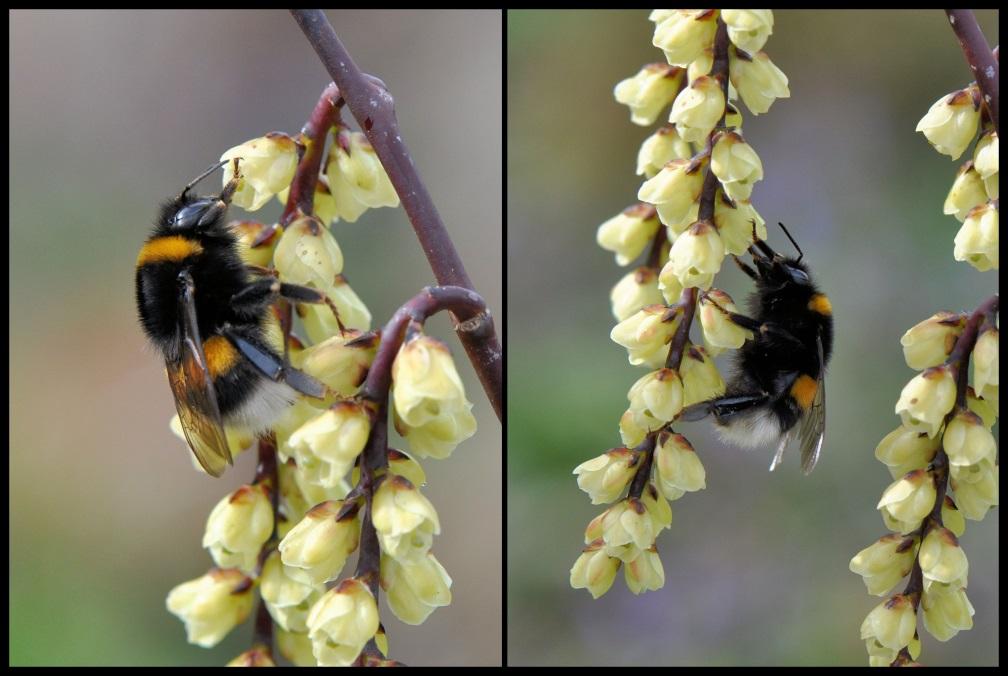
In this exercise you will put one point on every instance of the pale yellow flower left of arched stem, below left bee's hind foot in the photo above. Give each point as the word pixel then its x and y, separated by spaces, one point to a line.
pixel 335 439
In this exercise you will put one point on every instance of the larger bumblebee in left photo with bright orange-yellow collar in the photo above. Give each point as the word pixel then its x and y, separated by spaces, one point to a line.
pixel 209 315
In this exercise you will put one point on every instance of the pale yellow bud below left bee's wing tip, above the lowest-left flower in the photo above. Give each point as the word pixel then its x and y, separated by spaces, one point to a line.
pixel 238 527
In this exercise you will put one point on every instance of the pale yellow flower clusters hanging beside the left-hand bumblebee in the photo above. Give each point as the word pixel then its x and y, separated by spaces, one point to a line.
pixel 331 487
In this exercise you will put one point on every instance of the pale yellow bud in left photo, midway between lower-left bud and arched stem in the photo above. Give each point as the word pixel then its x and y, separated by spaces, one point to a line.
pixel 316 551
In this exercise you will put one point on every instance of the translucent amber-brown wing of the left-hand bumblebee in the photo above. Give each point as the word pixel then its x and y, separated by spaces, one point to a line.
pixel 196 398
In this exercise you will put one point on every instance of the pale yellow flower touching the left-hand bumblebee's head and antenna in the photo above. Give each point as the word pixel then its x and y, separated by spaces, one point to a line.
pixel 268 167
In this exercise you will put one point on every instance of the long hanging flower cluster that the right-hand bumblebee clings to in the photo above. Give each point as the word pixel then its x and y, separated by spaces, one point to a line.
pixel 695 210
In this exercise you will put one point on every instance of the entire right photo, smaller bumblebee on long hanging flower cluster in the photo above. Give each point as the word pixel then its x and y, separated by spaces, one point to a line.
pixel 752 269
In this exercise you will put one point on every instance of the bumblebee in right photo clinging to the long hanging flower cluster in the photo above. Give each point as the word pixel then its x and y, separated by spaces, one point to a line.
pixel 777 390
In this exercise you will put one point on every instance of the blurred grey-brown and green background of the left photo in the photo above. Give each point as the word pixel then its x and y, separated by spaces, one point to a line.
pixel 113 112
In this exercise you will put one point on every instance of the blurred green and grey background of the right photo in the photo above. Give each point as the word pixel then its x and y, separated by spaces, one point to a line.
pixel 757 566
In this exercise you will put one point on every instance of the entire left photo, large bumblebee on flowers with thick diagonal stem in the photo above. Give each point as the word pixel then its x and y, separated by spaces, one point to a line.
pixel 257 339
